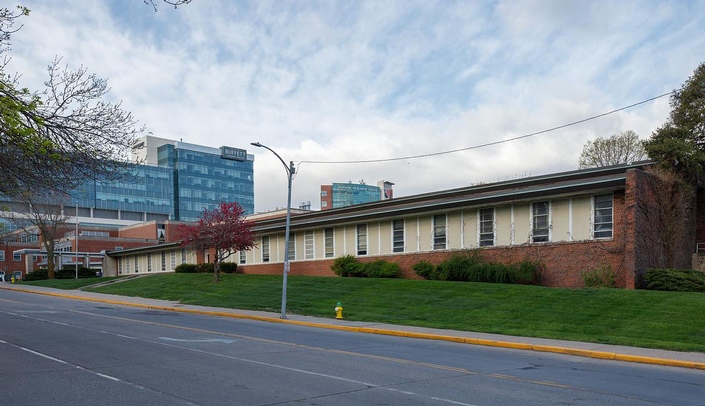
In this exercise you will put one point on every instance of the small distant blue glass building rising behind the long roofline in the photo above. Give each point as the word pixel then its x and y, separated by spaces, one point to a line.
pixel 339 195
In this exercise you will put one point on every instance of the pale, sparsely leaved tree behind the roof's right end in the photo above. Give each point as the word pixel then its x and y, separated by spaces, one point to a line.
pixel 616 149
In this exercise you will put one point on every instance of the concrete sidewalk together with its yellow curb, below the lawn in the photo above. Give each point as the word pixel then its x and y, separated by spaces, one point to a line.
pixel 694 360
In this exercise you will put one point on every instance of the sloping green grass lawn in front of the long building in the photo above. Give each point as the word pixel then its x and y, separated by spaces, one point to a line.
pixel 668 320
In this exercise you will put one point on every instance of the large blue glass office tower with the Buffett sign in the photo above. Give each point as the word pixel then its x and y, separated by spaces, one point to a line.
pixel 170 180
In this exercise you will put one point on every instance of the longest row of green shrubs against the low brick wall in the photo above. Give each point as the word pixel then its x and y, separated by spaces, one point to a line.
pixel 469 266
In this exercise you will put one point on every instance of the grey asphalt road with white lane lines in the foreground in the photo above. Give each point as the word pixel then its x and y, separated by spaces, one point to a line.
pixel 57 351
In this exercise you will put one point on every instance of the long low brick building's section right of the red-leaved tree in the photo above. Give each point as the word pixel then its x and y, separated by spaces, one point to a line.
pixel 570 222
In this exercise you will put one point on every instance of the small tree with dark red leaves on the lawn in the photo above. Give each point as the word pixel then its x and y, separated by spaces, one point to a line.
pixel 224 228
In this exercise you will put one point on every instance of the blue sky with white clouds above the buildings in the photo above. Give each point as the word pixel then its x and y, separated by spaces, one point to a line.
pixel 346 81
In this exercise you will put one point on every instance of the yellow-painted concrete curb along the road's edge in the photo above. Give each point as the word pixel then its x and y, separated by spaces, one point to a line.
pixel 401 333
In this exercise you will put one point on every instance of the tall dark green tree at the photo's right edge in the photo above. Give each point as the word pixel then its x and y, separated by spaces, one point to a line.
pixel 680 143
